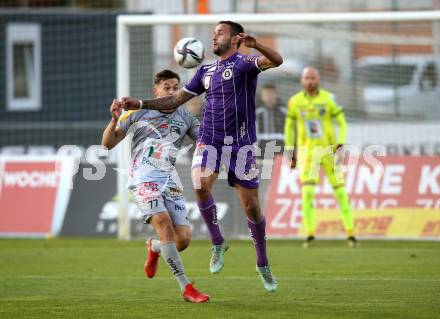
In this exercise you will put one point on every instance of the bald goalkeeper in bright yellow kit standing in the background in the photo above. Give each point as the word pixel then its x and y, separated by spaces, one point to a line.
pixel 310 134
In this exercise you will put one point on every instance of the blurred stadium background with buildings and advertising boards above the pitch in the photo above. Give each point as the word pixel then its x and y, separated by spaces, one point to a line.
pixel 58 59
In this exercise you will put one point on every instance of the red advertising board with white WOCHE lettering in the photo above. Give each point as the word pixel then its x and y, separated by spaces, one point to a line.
pixel 30 196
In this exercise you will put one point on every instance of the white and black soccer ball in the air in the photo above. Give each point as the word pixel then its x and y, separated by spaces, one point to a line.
pixel 188 52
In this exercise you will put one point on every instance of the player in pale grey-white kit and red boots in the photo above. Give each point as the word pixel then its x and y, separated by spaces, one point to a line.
pixel 156 137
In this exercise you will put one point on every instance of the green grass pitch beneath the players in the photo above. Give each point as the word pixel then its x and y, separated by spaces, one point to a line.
pixel 103 278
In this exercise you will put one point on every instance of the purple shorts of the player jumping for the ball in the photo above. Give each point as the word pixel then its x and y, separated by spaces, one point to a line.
pixel 238 162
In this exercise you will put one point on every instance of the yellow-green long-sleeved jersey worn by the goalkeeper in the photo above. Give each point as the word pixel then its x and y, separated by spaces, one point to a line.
pixel 311 121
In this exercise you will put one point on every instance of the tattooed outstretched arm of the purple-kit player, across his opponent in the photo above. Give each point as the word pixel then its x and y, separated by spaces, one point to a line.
pixel 162 103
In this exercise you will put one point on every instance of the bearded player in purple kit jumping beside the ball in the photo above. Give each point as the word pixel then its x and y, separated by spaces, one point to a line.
pixel 227 134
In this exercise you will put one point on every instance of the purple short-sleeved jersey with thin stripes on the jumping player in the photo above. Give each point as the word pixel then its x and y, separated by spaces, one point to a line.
pixel 229 88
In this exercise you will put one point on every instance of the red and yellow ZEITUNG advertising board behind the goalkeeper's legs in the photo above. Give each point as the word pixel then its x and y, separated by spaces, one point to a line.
pixel 378 193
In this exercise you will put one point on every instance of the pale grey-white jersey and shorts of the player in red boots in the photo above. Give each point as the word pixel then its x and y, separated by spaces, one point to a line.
pixel 156 140
